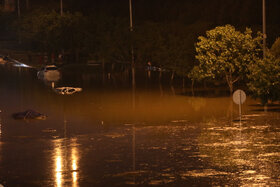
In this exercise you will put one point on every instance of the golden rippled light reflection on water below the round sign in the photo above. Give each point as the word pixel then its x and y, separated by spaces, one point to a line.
pixel 248 150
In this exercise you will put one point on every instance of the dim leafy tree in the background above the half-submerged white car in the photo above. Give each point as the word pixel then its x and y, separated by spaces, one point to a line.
pixel 52 32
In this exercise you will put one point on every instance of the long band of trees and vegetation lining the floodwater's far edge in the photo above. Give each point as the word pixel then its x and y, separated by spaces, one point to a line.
pixel 186 44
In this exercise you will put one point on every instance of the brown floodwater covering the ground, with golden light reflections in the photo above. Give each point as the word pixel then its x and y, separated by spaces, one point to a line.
pixel 102 137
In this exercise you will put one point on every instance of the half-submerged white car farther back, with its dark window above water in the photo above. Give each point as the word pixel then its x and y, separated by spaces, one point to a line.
pixel 49 73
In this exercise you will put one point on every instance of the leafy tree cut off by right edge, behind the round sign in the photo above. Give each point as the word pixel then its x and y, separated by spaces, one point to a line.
pixel 264 78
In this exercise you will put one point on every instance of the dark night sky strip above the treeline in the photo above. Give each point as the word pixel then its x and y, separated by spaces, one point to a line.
pixel 187 11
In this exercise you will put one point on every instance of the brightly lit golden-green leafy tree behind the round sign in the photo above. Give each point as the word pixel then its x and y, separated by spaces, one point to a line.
pixel 225 53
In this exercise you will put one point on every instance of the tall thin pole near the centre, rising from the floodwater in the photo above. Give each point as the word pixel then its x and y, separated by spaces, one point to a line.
pixel 132 57
